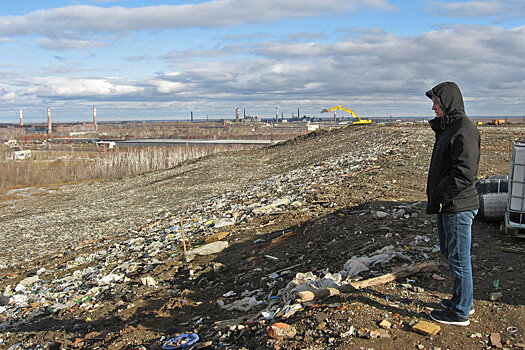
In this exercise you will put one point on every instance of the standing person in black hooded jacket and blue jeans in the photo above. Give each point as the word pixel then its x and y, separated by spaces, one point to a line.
pixel 452 195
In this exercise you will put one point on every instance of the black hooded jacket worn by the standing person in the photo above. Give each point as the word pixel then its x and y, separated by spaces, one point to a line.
pixel 455 156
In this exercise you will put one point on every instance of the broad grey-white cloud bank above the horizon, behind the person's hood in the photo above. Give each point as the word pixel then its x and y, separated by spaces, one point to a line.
pixel 373 72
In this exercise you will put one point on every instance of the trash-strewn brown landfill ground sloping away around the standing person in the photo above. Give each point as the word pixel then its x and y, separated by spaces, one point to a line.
pixel 101 265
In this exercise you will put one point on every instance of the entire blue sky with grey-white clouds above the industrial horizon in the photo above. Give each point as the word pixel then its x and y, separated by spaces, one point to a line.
pixel 143 60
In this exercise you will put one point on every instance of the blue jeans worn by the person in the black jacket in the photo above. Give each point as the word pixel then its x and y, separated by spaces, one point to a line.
pixel 455 238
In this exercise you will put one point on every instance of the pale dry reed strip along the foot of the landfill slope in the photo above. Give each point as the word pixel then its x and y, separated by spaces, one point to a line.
pixel 54 168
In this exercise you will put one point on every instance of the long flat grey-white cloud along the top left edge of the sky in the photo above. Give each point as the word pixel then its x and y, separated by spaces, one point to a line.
pixel 72 20
